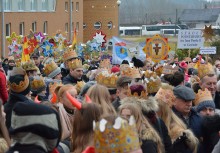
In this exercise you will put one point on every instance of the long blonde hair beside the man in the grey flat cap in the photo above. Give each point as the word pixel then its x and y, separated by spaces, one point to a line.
pixel 175 125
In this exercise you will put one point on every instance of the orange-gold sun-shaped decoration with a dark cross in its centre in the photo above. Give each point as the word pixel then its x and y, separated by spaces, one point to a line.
pixel 156 48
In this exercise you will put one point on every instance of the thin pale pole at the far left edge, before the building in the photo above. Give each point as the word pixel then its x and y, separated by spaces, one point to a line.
pixel 3 29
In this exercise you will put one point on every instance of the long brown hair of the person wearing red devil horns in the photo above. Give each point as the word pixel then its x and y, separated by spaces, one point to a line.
pixel 83 135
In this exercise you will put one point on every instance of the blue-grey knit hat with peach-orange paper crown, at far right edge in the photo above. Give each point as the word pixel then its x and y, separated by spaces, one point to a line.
pixel 203 100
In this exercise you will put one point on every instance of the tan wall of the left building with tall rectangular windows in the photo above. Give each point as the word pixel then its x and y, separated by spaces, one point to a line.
pixel 56 21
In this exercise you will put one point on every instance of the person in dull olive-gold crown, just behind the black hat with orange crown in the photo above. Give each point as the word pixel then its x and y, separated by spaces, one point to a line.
pixel 30 68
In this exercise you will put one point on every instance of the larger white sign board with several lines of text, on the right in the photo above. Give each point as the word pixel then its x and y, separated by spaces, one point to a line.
pixel 190 39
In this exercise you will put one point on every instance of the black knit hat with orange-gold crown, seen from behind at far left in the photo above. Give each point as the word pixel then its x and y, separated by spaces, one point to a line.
pixel 19 81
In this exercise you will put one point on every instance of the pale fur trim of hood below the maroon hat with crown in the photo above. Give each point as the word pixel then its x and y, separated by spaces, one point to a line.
pixel 146 105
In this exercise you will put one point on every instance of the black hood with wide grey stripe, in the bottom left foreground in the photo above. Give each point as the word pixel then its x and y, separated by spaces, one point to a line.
pixel 35 124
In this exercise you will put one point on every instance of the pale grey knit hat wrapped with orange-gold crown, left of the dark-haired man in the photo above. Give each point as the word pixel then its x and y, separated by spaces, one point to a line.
pixel 50 68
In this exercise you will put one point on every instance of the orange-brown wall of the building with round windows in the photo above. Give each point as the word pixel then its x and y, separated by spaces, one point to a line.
pixel 102 11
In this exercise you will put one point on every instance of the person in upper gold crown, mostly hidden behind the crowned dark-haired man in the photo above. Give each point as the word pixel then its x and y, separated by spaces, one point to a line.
pixel 68 56
